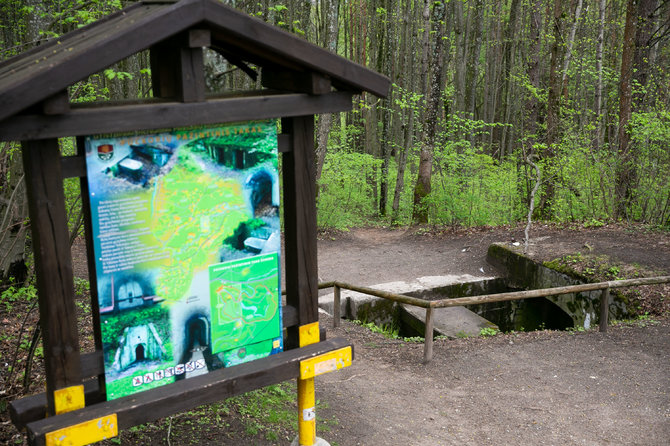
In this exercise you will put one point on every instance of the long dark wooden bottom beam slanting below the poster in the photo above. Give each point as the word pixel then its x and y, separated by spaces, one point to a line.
pixel 186 394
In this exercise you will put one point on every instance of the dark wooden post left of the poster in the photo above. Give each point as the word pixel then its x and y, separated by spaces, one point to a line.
pixel 53 266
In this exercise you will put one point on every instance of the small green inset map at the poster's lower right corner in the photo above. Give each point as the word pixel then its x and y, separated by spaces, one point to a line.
pixel 245 301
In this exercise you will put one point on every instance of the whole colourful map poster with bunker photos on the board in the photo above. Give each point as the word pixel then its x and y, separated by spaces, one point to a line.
pixel 186 238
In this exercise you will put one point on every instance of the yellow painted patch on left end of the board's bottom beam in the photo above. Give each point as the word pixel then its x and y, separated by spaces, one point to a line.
pixel 84 433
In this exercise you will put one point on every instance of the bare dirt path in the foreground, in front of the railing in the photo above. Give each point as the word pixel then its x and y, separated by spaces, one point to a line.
pixel 526 389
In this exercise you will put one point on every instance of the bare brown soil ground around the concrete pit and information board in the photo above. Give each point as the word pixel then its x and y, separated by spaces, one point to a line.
pixel 518 388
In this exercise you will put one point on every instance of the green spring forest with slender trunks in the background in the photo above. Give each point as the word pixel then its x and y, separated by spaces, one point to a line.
pixel 499 110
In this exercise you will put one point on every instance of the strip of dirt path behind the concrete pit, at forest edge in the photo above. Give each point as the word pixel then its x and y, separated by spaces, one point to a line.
pixel 369 256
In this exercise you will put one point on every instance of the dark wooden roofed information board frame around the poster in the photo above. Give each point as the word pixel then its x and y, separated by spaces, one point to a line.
pixel 299 80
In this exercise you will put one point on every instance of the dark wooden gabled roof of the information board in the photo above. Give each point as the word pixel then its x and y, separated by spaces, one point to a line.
pixel 44 71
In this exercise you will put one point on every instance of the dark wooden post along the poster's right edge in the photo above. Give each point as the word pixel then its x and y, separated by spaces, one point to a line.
pixel 299 182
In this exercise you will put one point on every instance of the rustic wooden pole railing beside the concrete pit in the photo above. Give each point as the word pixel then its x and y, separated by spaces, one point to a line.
pixel 486 298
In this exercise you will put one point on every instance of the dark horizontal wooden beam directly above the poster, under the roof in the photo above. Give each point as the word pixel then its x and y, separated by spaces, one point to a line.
pixel 147 116
